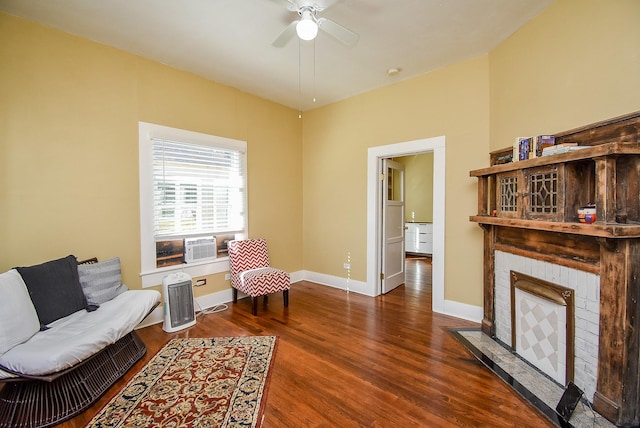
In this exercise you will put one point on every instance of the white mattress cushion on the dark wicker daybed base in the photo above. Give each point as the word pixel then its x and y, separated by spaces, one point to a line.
pixel 72 339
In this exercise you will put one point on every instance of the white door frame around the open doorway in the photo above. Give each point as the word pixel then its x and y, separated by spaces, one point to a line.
pixel 374 220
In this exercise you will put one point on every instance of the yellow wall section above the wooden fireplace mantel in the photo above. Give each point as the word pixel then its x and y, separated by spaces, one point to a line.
pixel 577 63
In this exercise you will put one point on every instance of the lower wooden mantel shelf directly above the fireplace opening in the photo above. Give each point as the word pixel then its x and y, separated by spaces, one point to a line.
pixel 597 229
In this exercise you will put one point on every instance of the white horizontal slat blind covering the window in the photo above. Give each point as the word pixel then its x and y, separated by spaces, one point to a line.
pixel 197 189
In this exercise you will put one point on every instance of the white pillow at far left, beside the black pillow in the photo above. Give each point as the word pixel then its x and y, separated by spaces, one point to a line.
pixel 18 317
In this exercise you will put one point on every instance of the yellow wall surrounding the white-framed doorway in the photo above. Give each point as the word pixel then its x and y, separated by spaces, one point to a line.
pixel 452 102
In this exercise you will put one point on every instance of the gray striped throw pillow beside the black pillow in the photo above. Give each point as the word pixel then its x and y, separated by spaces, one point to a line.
pixel 101 281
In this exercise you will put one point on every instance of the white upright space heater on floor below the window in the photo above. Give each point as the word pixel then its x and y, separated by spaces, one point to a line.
pixel 179 310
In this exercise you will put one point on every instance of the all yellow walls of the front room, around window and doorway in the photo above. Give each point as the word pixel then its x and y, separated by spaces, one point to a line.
pixel 69 110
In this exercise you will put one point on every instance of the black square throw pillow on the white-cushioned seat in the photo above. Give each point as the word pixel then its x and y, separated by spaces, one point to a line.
pixel 54 288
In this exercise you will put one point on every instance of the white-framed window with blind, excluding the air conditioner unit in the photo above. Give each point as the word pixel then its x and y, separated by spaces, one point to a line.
pixel 192 185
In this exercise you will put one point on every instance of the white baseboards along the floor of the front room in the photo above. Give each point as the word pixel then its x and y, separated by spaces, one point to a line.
pixel 451 308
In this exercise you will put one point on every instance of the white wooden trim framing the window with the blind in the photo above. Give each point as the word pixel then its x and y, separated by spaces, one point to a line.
pixel 150 274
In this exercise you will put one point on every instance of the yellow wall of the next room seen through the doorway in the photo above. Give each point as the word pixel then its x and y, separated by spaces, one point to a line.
pixel 418 187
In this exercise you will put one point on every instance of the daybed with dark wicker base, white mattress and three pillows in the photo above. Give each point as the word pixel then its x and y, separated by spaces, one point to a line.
pixel 66 335
